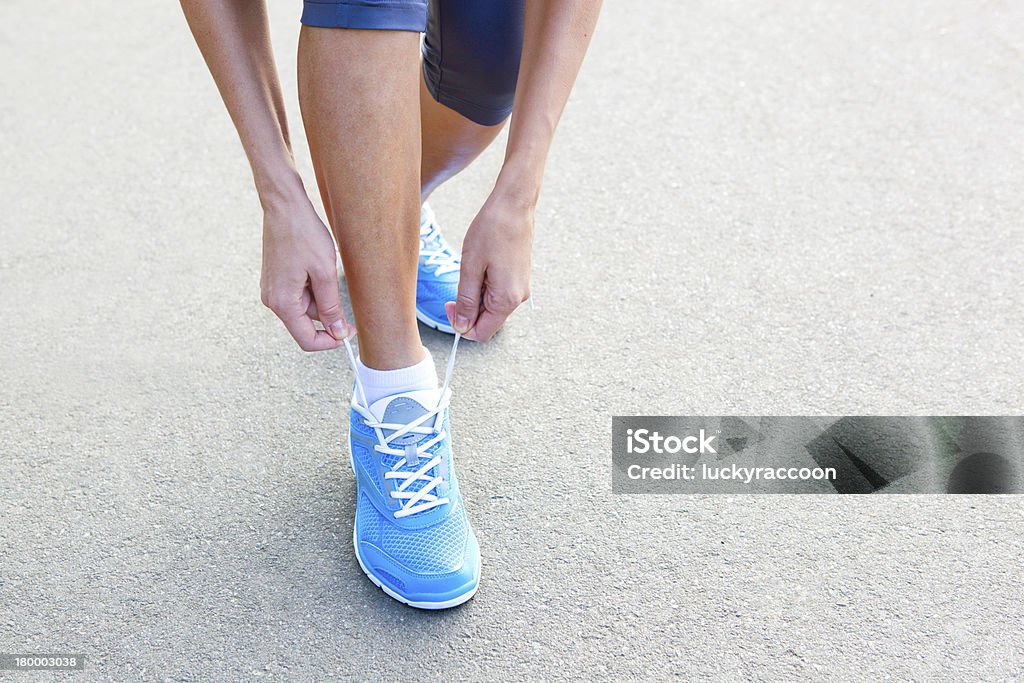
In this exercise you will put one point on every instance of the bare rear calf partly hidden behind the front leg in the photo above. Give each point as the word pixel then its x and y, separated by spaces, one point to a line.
pixel 451 142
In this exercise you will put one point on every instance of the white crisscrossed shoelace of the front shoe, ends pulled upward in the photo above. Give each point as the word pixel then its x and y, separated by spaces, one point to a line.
pixel 412 454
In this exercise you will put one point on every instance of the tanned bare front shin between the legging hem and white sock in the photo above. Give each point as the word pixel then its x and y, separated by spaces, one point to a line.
pixel 359 94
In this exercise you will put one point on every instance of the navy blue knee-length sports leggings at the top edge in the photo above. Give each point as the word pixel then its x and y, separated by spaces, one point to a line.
pixel 472 49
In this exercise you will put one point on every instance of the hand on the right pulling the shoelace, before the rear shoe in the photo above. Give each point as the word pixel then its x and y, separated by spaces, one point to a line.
pixel 496 264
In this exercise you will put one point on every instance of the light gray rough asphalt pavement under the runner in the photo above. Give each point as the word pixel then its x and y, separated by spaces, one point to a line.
pixel 752 208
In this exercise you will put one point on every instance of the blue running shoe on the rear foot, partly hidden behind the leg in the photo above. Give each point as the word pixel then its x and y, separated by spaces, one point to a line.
pixel 438 279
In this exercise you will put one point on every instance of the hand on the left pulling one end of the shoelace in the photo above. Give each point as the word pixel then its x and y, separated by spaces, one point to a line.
pixel 300 281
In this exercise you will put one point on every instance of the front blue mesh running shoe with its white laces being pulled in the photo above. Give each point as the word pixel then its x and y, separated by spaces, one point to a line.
pixel 412 537
